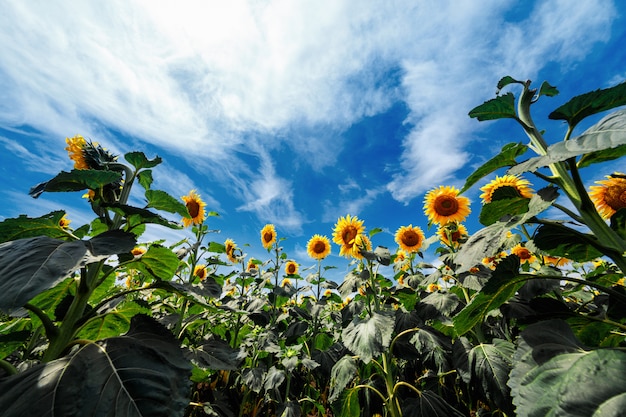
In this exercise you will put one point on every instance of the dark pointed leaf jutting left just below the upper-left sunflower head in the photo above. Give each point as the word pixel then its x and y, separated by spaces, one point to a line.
pixel 76 180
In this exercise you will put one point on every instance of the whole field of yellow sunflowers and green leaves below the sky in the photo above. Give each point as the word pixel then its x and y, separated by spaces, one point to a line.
pixel 524 317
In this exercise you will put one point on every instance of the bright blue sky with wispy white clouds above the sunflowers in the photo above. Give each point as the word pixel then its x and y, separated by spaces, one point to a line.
pixel 285 112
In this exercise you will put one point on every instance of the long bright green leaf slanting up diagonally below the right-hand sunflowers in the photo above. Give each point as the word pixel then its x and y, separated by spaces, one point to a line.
pixel 503 284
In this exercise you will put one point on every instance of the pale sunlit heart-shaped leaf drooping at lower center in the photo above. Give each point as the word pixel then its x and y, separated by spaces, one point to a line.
pixel 370 336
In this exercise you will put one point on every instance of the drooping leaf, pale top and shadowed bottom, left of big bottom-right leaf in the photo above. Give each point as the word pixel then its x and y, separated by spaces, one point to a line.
pixel 490 364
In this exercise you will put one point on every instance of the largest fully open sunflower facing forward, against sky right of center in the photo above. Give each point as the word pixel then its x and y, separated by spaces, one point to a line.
pixel 443 205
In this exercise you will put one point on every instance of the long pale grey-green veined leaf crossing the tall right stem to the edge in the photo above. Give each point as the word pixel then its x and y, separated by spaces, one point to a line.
pixel 603 141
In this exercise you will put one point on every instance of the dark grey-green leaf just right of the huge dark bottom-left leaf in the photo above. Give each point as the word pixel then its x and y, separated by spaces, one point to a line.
pixel 215 354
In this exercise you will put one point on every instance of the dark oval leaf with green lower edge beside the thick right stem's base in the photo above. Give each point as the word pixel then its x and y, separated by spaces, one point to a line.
pixel 559 240
